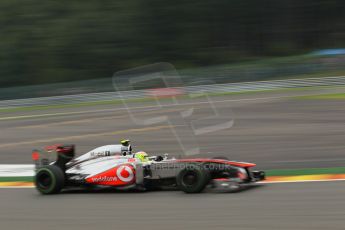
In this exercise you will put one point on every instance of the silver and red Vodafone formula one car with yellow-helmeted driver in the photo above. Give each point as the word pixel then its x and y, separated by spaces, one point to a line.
pixel 117 167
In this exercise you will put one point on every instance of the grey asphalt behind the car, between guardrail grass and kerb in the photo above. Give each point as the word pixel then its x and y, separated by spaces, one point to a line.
pixel 270 129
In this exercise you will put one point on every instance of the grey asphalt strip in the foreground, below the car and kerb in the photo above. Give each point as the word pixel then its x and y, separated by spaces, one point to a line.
pixel 313 205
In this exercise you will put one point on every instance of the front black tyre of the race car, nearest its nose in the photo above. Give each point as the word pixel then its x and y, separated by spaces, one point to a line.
pixel 193 178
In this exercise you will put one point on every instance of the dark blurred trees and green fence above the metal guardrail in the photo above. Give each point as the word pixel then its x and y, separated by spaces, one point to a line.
pixel 48 43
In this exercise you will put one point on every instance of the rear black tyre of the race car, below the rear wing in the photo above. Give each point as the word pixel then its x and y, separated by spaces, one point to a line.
pixel 49 179
